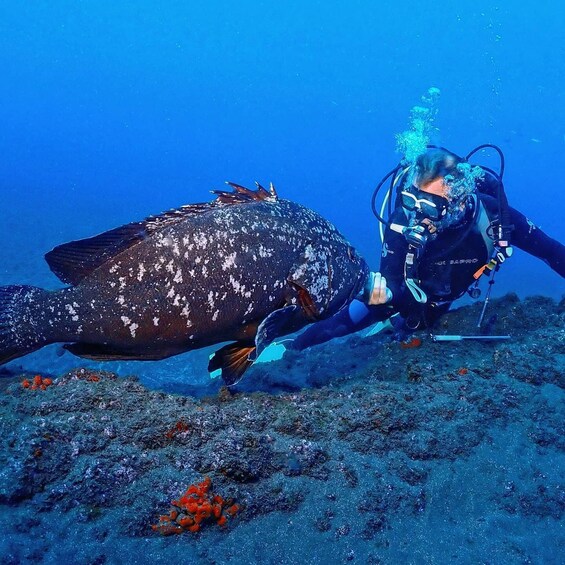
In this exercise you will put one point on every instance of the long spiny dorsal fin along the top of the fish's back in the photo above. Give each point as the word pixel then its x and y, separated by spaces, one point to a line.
pixel 73 261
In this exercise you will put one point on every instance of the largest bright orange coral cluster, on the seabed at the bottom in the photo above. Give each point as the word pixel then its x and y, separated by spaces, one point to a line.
pixel 197 506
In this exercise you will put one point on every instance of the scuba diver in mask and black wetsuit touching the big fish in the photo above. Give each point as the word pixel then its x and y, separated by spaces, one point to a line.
pixel 450 225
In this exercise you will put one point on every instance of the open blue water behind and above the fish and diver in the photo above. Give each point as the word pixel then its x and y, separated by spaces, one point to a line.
pixel 113 111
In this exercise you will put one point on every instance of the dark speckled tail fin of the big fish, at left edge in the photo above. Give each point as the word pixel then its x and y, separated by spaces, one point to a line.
pixel 18 333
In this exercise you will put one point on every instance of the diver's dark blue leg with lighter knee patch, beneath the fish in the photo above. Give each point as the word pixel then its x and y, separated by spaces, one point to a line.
pixel 355 317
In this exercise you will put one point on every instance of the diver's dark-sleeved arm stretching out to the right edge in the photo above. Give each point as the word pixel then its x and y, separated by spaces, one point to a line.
pixel 533 240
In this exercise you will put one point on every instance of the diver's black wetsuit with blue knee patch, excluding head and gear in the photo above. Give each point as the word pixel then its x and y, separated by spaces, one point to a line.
pixel 445 271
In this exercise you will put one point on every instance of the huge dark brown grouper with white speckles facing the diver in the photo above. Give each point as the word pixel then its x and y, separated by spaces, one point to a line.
pixel 245 268
